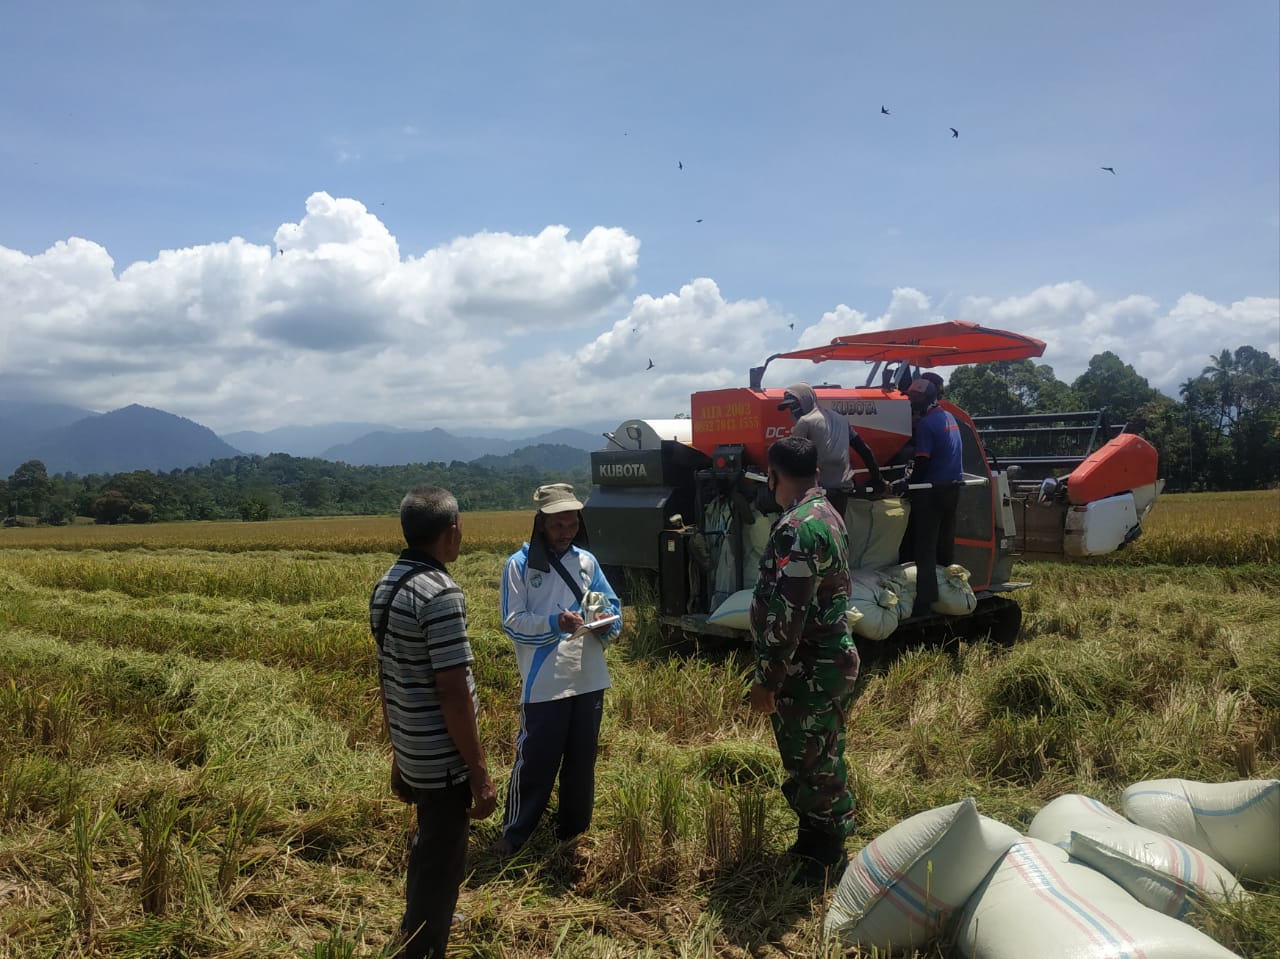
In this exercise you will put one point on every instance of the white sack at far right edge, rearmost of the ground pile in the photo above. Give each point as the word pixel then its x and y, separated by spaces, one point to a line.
pixel 1238 824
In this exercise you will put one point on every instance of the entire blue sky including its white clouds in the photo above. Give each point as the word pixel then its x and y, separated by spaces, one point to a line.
pixel 465 131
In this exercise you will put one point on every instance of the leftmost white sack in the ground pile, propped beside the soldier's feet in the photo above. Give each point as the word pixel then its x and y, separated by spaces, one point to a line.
pixel 902 889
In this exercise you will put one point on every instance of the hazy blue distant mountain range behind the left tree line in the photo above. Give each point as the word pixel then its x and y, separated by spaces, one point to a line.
pixel 70 440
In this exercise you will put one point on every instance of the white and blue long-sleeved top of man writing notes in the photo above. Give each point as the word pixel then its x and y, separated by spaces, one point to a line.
pixel 552 665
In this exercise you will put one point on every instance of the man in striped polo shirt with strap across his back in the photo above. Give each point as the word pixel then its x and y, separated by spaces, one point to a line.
pixel 419 618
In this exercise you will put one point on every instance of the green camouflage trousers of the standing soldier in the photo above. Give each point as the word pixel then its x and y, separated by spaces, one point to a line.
pixel 811 730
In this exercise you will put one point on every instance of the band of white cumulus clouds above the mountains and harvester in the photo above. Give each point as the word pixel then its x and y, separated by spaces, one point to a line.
pixel 335 322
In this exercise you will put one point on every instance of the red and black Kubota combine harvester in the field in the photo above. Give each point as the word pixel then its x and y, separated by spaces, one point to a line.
pixel 678 504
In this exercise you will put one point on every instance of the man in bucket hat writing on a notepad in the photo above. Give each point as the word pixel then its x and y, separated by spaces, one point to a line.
pixel 552 590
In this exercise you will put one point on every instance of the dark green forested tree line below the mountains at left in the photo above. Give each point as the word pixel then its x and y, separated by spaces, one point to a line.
pixel 259 488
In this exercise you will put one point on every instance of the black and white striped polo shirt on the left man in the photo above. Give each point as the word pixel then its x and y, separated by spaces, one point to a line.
pixel 427 631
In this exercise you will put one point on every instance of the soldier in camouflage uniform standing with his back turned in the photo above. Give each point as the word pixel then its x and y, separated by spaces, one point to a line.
pixel 807 664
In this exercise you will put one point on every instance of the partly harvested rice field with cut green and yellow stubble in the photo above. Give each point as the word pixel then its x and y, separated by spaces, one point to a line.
pixel 193 761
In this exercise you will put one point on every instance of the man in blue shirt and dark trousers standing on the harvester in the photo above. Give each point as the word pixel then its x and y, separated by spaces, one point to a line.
pixel 939 462
